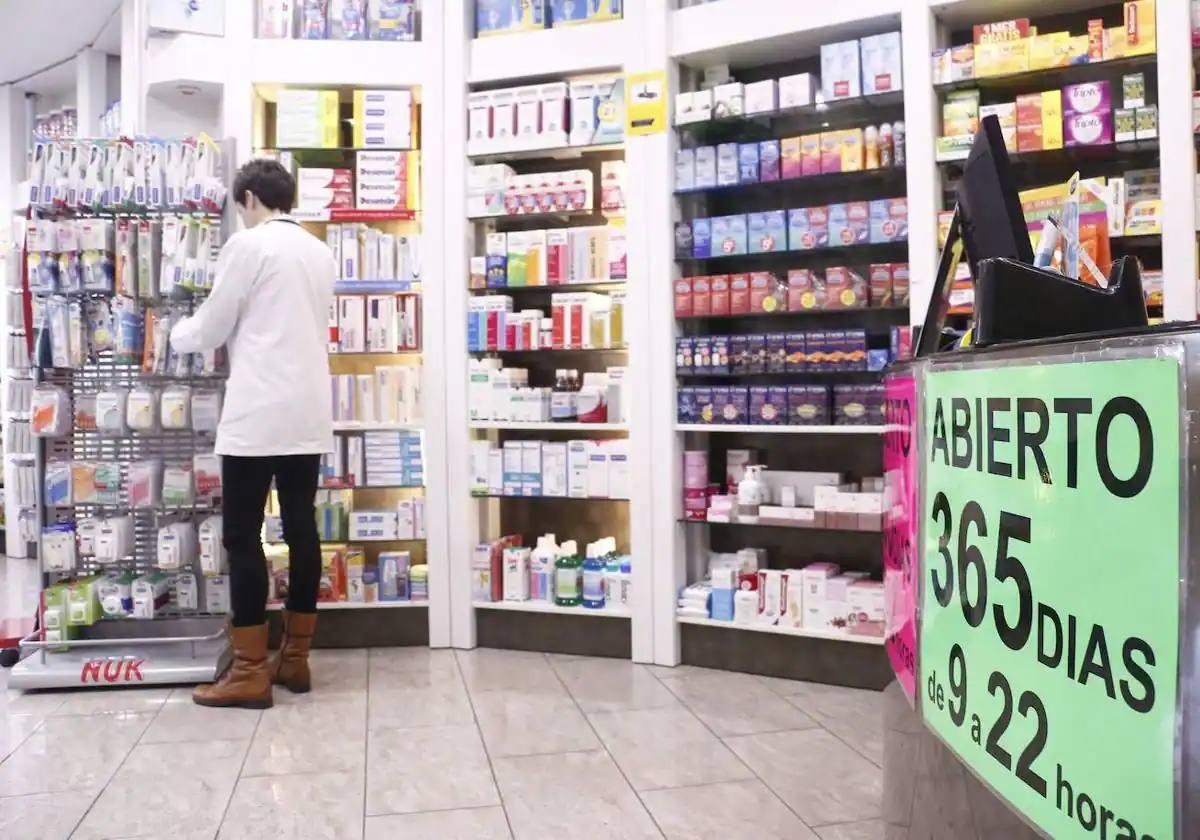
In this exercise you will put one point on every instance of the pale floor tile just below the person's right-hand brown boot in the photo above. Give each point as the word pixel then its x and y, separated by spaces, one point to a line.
pixel 319 737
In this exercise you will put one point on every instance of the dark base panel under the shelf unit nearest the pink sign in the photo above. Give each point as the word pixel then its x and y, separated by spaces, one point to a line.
pixel 817 661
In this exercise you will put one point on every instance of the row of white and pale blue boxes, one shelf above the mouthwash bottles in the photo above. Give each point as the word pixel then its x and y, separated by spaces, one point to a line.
pixel 578 470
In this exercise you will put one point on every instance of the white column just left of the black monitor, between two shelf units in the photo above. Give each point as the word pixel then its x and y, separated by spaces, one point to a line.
pixel 925 181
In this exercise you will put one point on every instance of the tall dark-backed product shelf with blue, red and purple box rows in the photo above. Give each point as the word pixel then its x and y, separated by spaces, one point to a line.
pixel 791 296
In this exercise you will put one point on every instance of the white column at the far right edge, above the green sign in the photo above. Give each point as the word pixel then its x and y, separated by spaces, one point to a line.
pixel 1178 160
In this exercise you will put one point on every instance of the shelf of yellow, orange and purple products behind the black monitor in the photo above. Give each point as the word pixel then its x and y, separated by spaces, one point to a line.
pixel 1073 93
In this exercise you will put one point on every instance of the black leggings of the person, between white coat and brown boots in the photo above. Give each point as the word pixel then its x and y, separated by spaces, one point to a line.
pixel 247 484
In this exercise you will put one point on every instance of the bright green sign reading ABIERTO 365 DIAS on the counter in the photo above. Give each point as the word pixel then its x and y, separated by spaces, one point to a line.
pixel 1049 637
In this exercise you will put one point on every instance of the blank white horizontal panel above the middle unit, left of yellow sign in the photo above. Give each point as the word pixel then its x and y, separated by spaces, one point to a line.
pixel 549 52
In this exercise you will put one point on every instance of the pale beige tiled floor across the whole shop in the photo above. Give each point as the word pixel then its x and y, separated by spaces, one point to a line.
pixel 417 743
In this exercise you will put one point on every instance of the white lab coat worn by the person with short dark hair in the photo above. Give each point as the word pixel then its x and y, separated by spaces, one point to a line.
pixel 271 308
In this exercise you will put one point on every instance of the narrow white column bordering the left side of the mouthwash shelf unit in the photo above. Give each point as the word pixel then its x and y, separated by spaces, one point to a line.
pixel 459 244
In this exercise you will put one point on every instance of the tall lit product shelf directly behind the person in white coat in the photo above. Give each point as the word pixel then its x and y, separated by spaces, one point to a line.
pixel 356 154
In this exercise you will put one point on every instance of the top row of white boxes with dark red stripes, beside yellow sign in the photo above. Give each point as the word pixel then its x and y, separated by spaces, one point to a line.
pixel 551 116
